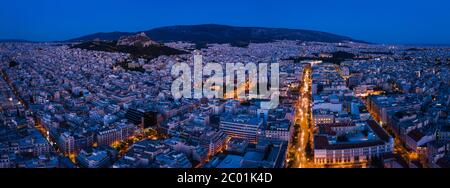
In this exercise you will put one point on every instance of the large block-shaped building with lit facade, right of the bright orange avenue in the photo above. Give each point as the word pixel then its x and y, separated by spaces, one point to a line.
pixel 351 143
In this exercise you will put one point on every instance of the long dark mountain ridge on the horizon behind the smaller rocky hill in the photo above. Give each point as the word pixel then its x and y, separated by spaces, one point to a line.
pixel 213 33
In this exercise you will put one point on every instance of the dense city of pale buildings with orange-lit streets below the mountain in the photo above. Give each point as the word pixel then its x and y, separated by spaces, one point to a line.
pixel 342 105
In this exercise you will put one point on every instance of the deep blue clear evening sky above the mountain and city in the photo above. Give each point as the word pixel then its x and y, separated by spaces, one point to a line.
pixel 379 21
